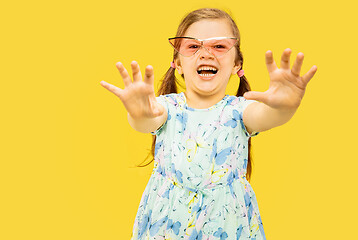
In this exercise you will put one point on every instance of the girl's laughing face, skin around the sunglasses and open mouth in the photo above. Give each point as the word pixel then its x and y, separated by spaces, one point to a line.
pixel 197 83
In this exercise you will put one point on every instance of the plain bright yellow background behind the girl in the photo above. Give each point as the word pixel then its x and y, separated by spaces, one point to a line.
pixel 68 153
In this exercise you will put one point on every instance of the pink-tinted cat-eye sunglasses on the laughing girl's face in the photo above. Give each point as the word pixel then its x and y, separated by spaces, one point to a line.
pixel 188 47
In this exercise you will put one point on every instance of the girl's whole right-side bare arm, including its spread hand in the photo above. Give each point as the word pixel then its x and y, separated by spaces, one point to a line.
pixel 279 103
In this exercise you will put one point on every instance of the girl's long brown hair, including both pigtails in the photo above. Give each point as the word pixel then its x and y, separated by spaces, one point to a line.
pixel 169 82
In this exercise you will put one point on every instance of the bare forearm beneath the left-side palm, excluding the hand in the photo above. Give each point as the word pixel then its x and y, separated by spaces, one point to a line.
pixel 147 125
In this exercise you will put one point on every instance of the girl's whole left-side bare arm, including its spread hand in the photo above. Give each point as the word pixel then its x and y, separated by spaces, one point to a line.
pixel 145 113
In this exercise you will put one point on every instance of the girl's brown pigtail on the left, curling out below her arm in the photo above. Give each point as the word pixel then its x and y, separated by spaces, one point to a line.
pixel 168 85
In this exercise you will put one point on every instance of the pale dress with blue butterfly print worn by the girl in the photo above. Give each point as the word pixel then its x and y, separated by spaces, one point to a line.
pixel 198 189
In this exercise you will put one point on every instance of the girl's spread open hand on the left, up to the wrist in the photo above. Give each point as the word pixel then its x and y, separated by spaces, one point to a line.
pixel 138 96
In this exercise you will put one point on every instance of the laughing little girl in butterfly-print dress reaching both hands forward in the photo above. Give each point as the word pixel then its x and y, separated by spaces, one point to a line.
pixel 199 188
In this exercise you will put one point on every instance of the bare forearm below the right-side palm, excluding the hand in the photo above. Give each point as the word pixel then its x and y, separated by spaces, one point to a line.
pixel 263 117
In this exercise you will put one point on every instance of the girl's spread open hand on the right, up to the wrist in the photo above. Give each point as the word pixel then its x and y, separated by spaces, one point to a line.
pixel 286 87
